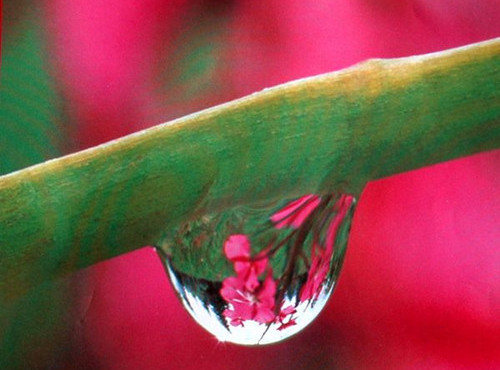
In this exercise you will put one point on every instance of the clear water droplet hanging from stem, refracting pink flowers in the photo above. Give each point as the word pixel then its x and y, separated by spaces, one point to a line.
pixel 259 275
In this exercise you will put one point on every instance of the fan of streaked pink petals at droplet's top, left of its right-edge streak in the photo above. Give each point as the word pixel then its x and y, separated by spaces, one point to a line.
pixel 295 213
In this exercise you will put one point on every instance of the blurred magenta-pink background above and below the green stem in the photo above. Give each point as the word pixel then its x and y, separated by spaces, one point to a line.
pixel 420 287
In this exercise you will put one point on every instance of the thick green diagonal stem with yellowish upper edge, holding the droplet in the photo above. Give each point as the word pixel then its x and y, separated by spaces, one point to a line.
pixel 332 132
